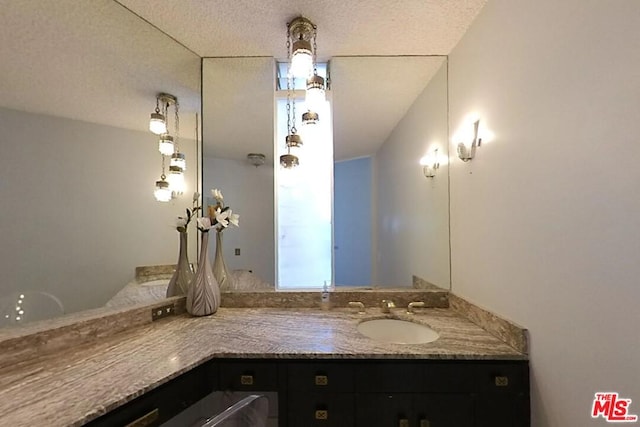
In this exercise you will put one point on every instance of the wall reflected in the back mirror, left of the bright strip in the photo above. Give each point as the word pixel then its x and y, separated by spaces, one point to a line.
pixel 248 191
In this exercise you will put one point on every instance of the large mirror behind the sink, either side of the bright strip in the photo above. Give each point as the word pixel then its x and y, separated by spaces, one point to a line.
pixel 390 221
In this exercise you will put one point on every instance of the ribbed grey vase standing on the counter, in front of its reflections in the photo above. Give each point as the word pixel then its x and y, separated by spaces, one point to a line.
pixel 203 295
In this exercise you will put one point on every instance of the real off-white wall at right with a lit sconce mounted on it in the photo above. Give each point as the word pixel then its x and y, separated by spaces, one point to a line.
pixel 545 221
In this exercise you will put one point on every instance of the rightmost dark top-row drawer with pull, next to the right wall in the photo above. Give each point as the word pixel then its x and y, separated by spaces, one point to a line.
pixel 502 377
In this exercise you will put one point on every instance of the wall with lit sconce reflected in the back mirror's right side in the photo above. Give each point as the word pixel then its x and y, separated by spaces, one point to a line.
pixel 412 212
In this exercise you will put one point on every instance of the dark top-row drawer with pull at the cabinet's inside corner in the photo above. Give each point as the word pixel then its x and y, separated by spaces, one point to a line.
pixel 250 375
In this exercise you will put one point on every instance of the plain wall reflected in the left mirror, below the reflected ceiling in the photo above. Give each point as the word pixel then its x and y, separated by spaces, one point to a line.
pixel 77 212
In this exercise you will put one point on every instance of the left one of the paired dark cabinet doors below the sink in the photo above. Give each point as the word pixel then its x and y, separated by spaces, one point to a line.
pixel 384 410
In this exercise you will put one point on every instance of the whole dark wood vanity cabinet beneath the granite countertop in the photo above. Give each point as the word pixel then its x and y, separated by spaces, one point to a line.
pixel 355 392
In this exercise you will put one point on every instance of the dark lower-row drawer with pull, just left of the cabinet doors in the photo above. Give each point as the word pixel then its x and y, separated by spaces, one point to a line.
pixel 321 409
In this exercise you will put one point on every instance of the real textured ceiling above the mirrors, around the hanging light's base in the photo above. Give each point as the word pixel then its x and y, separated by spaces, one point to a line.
pixel 345 27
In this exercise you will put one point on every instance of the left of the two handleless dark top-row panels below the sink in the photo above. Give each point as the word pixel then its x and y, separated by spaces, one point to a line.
pixel 389 377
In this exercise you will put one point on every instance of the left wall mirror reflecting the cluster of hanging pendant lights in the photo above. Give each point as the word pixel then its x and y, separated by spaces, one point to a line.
pixel 78 166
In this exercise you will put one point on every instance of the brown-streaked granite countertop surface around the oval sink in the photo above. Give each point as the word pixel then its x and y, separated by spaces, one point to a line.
pixel 74 386
